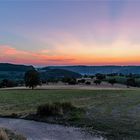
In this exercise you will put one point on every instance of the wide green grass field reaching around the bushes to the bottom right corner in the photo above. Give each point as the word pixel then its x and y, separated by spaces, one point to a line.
pixel 116 112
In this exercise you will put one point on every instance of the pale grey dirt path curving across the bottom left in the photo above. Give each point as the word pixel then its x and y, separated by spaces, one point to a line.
pixel 43 131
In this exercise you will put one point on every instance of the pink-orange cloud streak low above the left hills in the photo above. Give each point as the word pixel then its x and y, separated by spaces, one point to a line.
pixel 13 55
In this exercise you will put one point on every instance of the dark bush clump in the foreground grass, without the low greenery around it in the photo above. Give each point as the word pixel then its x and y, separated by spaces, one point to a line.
pixel 54 109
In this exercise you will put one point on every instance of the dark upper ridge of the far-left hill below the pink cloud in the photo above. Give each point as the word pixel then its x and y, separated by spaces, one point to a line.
pixel 14 67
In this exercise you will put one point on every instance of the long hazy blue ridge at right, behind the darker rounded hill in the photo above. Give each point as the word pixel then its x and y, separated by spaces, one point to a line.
pixel 99 69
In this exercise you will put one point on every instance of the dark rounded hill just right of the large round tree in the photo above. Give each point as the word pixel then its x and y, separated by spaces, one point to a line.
pixel 58 74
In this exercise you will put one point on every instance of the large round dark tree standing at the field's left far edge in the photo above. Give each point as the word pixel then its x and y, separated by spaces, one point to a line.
pixel 32 79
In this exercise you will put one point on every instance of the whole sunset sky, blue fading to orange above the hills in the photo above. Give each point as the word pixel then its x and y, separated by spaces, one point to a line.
pixel 70 32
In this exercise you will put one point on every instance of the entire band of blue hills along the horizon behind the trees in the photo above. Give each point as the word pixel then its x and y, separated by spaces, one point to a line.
pixel 16 72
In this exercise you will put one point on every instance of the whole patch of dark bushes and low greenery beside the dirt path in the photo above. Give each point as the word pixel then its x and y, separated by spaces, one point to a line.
pixel 58 112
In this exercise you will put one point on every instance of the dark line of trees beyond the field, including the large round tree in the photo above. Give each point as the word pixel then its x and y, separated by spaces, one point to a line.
pixel 32 79
